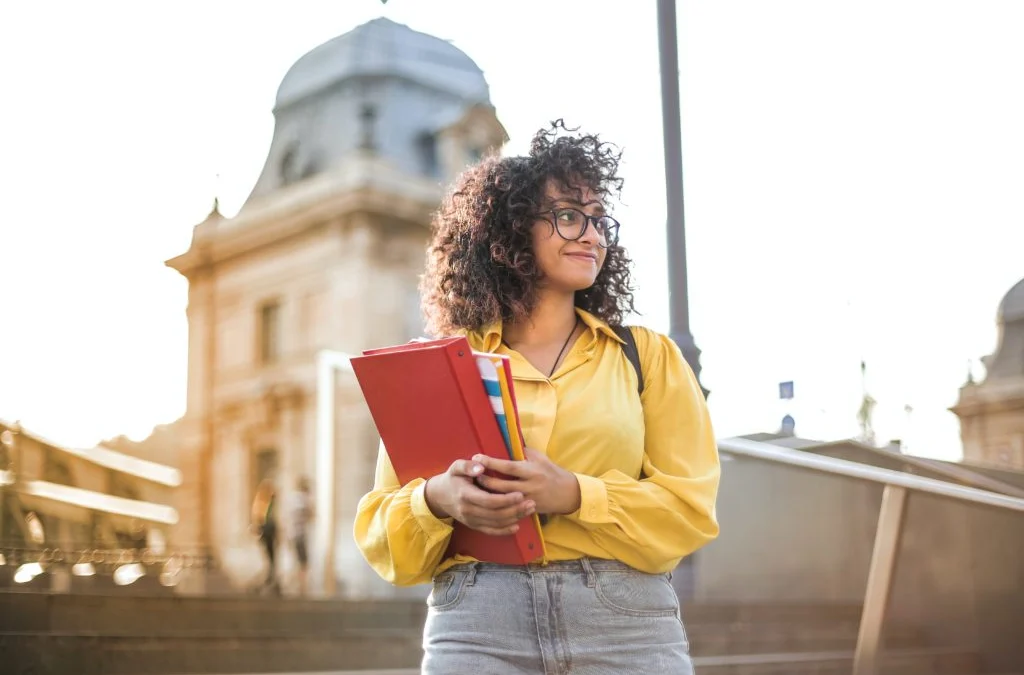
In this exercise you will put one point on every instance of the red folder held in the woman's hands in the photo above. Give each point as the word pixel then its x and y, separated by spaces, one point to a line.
pixel 431 408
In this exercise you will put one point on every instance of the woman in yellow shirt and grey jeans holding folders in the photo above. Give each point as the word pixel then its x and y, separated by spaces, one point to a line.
pixel 526 262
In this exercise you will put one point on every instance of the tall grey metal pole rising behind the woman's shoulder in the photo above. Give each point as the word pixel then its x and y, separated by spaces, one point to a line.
pixel 676 227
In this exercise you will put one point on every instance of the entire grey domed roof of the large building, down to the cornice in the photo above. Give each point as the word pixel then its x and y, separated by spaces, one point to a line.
pixel 382 89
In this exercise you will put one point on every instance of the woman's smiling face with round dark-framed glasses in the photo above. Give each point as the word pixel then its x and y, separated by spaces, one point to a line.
pixel 569 266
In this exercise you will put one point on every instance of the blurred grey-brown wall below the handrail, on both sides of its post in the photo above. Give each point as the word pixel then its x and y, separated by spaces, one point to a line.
pixel 790 535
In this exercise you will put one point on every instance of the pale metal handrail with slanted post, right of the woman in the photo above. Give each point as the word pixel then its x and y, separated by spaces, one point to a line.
pixel 890 528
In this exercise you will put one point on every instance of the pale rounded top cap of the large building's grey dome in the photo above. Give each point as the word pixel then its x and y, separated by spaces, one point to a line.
pixel 383 48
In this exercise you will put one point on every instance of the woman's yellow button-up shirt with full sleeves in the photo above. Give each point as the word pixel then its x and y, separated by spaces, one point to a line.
pixel 648 467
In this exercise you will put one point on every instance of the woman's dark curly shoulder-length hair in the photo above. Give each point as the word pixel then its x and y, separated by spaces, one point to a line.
pixel 481 265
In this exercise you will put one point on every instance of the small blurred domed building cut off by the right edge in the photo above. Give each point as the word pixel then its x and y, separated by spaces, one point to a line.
pixel 992 413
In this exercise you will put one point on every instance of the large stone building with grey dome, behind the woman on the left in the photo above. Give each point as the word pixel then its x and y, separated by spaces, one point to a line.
pixel 323 260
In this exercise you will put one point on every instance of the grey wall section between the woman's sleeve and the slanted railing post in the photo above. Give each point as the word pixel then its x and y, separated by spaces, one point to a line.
pixel 788 536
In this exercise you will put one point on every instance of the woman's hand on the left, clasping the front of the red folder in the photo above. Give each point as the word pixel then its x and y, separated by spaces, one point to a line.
pixel 454 494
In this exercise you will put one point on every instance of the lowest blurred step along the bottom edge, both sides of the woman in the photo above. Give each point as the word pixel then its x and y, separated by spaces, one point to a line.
pixel 89 655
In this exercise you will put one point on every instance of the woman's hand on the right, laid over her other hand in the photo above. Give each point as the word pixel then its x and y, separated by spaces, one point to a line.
pixel 549 487
